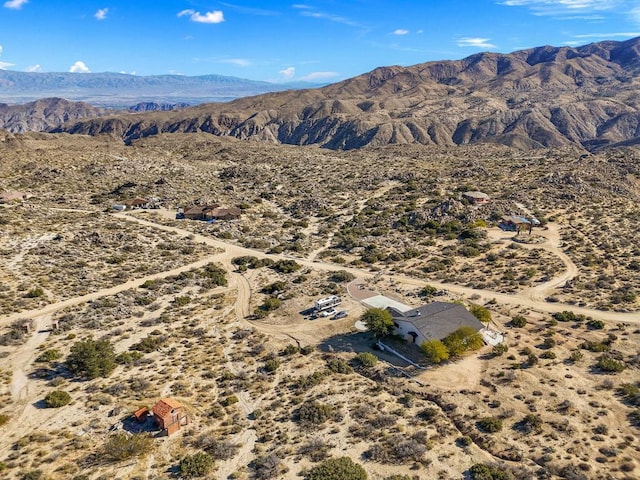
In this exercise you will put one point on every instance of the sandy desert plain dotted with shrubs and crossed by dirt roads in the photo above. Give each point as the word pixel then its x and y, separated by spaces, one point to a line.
pixel 213 315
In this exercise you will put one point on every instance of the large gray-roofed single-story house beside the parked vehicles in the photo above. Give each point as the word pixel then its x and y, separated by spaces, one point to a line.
pixel 432 322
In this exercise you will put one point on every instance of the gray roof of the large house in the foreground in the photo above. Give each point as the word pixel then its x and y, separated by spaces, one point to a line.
pixel 438 319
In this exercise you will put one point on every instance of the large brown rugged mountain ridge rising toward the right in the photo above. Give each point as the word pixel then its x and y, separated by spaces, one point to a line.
pixel 540 97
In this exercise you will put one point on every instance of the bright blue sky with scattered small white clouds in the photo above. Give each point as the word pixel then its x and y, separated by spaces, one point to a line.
pixel 319 41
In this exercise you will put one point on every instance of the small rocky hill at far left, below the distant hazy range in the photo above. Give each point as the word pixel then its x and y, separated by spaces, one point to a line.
pixel 43 114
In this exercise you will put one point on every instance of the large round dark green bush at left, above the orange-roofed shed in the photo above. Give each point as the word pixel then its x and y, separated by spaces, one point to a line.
pixel 91 359
